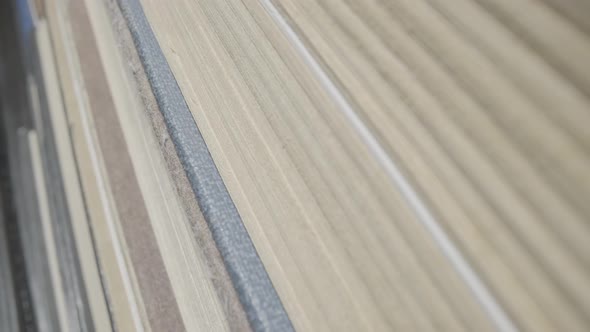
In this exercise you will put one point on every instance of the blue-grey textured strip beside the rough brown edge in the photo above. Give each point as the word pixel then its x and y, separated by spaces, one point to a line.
pixel 255 290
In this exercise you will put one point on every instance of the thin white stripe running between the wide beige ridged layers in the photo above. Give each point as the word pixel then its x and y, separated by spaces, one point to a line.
pixel 479 289
